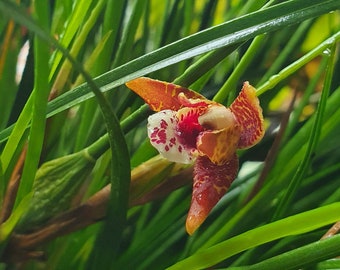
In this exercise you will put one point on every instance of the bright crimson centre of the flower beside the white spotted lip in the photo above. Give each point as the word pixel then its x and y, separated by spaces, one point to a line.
pixel 188 128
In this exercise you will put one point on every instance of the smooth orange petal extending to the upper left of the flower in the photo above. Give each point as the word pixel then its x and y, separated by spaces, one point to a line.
pixel 160 95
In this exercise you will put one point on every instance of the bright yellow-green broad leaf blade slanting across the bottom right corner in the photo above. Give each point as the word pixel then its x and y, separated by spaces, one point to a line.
pixel 297 224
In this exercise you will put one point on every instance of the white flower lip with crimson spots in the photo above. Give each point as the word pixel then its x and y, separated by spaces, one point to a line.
pixel 162 134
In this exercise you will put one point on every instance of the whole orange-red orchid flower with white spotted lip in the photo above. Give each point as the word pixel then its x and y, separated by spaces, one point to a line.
pixel 188 128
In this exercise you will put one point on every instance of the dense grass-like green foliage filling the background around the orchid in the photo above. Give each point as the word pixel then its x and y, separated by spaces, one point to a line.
pixel 71 133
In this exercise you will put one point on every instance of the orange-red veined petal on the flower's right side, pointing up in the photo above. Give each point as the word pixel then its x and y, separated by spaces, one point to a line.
pixel 248 113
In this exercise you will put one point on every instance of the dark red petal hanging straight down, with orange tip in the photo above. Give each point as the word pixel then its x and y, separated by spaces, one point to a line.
pixel 210 183
